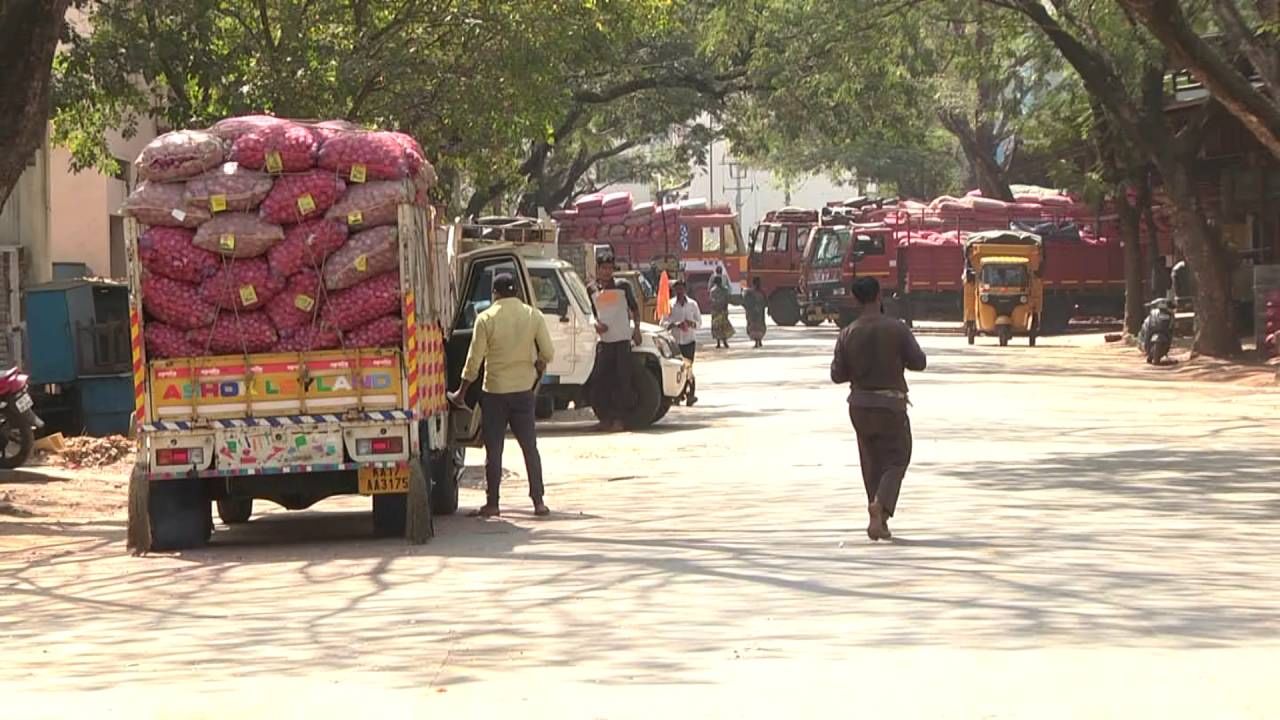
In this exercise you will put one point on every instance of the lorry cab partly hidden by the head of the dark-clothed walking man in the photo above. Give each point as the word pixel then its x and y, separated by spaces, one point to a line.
pixel 834 258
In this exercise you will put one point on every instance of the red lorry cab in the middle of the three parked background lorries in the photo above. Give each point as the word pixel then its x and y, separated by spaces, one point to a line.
pixel 776 258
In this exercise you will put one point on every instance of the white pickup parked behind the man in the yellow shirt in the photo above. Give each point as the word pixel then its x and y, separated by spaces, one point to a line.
pixel 560 293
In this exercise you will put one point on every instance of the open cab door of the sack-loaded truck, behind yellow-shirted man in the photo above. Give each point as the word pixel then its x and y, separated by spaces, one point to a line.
pixel 477 272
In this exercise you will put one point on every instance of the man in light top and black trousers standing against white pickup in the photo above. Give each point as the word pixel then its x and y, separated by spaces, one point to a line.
pixel 616 312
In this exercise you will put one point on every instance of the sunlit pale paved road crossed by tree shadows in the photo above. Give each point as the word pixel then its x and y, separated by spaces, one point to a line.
pixel 1080 536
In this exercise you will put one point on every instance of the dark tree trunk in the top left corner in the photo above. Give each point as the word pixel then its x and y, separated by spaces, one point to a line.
pixel 29 37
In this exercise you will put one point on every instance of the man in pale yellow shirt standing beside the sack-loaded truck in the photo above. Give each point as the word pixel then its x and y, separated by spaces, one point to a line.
pixel 513 343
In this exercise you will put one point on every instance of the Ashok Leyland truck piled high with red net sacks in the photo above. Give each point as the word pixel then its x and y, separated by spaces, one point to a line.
pixel 291 304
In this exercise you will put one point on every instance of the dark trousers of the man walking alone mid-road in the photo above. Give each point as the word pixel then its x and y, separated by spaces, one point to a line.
pixel 885 452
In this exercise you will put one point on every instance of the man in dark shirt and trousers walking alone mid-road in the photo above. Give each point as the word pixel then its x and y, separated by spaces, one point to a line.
pixel 872 356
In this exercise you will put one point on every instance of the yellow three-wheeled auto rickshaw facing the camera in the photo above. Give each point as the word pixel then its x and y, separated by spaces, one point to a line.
pixel 1004 291
